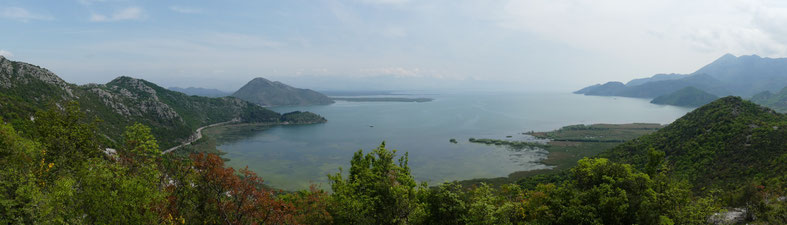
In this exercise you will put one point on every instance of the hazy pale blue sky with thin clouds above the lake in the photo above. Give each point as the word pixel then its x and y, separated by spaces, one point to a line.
pixel 524 45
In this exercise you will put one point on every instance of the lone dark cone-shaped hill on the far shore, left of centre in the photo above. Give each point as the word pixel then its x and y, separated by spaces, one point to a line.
pixel 268 93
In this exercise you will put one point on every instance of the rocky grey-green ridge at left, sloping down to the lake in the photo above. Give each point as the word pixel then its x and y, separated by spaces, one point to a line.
pixel 172 116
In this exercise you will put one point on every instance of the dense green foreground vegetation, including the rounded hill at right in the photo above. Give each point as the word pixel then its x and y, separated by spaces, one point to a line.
pixel 678 175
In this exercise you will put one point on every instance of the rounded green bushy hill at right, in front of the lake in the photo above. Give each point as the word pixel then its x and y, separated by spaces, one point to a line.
pixel 727 144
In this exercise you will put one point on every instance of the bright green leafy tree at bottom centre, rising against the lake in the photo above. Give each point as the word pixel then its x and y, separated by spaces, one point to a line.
pixel 377 190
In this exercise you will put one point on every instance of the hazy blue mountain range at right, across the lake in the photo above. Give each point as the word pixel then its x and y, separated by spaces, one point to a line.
pixel 729 75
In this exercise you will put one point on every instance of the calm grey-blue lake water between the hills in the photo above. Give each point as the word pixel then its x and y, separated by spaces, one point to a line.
pixel 293 157
